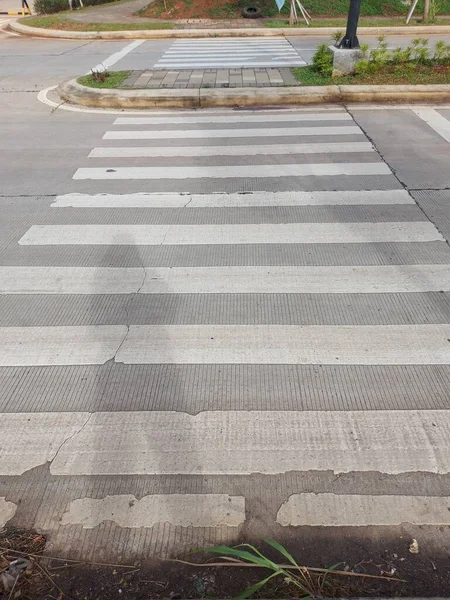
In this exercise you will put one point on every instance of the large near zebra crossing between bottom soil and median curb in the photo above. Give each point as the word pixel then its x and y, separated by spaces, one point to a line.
pixel 234 309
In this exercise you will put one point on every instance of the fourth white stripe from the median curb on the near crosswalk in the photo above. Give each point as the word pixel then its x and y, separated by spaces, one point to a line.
pixel 229 171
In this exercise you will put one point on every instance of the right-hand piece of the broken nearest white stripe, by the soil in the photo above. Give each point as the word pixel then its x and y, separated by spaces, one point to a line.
pixel 334 510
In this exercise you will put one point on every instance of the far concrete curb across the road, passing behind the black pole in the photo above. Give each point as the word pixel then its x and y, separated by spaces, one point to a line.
pixel 200 33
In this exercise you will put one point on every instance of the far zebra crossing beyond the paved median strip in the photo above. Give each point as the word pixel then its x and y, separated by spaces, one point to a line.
pixel 229 53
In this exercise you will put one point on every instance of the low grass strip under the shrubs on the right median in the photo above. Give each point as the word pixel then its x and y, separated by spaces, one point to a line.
pixel 390 75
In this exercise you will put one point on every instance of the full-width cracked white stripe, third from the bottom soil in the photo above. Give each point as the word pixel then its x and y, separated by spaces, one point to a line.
pixel 226 344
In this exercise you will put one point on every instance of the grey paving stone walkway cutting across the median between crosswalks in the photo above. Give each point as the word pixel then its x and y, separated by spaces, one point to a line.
pixel 210 78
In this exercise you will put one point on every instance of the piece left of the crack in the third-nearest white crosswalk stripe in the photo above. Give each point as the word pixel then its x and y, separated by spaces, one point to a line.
pixel 34 346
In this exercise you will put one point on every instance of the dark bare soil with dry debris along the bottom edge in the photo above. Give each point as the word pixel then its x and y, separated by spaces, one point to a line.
pixel 425 574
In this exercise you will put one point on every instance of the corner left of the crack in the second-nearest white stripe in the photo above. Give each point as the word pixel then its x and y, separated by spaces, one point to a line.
pixel 32 439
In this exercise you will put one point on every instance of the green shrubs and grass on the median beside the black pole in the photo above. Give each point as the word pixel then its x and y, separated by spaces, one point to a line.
pixel 415 64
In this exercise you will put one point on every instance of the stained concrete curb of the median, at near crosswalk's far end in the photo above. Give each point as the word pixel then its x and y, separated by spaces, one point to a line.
pixel 75 93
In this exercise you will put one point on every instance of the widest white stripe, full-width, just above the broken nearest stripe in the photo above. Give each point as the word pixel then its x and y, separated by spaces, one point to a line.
pixel 227 442
